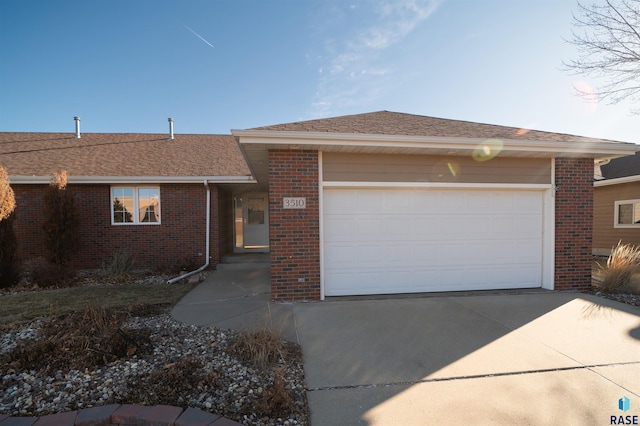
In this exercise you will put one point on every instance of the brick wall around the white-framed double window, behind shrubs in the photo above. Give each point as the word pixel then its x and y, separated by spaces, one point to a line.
pixel 181 234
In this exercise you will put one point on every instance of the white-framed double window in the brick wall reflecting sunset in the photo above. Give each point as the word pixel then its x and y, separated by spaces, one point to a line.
pixel 135 205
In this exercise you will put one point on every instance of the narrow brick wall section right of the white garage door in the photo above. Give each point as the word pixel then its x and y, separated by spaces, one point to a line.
pixel 574 222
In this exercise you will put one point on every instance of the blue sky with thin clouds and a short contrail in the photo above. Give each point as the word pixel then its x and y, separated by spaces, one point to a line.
pixel 126 66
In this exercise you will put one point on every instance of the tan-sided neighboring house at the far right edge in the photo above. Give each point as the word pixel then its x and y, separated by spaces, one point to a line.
pixel 616 199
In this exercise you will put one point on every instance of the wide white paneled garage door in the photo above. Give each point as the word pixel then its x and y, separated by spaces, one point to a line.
pixel 382 241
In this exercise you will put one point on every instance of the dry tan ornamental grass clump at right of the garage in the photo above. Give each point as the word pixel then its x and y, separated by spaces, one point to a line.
pixel 618 274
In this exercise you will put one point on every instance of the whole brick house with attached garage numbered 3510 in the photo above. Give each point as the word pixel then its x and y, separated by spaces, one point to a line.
pixel 363 204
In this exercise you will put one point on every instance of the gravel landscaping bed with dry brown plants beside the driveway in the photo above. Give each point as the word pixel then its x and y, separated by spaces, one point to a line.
pixel 45 371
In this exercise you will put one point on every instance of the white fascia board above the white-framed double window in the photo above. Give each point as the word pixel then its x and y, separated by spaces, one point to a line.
pixel 133 179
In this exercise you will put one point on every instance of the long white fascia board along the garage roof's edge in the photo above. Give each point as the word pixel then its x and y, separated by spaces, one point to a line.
pixel 271 137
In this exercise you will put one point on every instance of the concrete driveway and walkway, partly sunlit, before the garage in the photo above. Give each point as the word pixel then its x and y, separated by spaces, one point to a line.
pixel 542 358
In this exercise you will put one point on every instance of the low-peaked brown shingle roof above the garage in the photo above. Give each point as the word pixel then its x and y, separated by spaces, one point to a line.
pixel 395 123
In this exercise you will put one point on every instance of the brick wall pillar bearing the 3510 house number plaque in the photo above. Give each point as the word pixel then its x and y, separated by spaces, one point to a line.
pixel 294 235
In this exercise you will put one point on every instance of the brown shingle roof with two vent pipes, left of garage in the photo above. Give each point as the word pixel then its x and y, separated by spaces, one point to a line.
pixel 122 154
